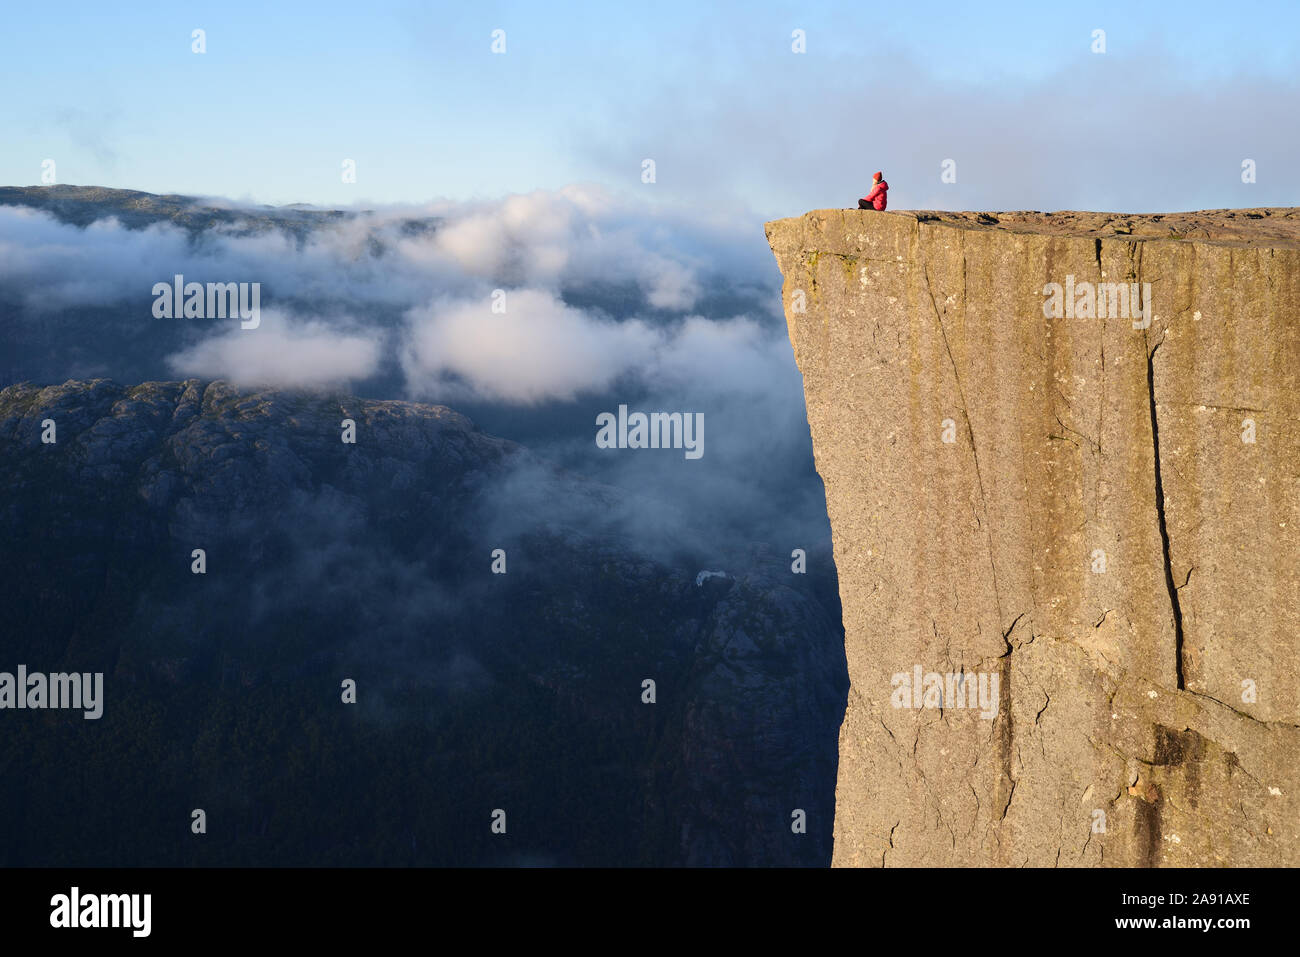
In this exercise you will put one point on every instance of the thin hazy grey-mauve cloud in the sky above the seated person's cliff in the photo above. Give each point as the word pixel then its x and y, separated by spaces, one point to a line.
pixel 1103 132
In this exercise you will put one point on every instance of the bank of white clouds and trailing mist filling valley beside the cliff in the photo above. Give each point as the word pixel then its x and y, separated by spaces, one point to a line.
pixel 608 301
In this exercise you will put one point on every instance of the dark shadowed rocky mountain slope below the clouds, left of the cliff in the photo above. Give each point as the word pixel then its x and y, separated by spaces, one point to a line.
pixel 330 561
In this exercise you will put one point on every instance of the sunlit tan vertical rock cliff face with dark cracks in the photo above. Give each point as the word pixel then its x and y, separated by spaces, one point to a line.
pixel 1081 497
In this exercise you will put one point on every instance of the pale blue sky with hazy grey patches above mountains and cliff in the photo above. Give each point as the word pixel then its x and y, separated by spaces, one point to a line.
pixel 734 119
